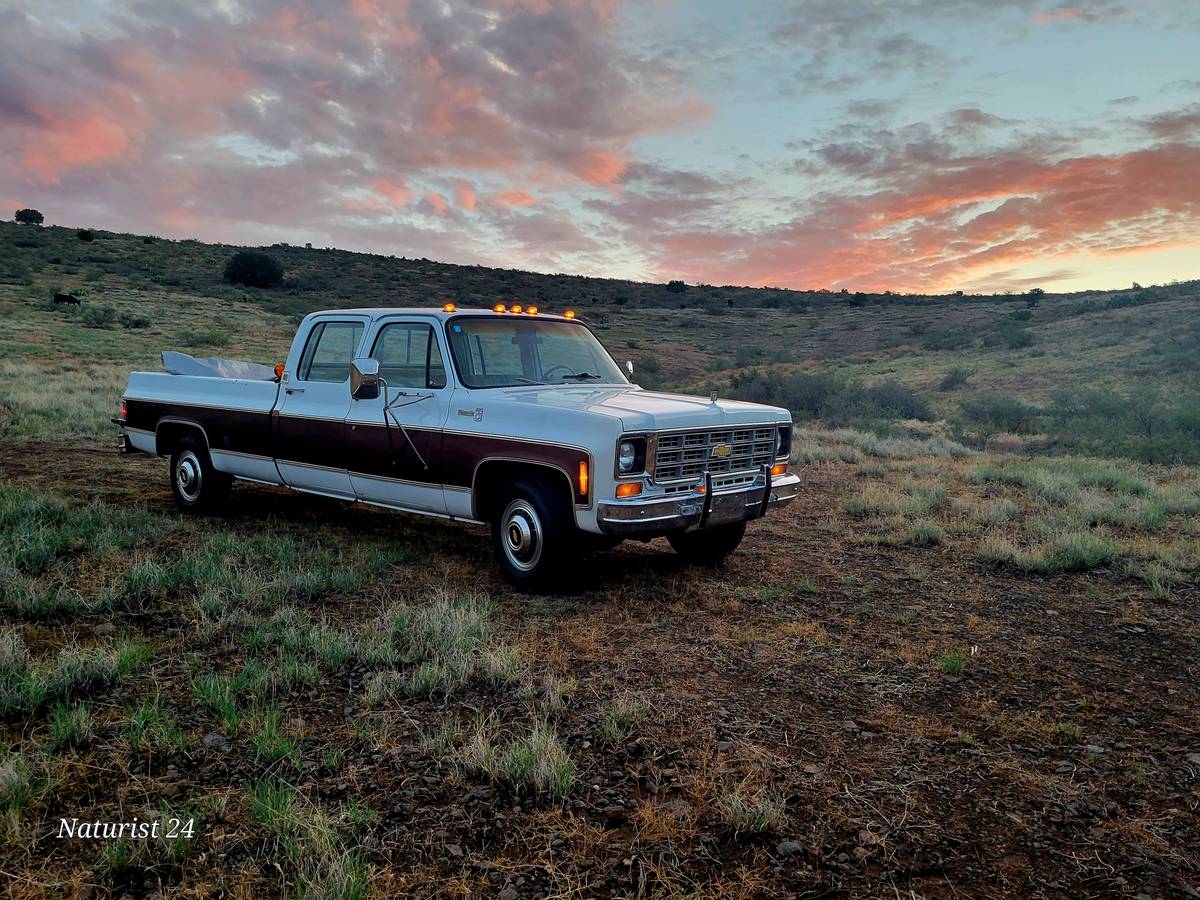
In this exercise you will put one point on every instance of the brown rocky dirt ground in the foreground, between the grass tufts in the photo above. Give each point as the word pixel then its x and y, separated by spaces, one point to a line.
pixel 913 721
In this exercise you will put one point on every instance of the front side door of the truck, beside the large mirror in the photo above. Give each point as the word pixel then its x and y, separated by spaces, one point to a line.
pixel 393 460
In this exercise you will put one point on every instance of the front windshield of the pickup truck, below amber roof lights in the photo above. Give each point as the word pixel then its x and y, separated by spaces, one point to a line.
pixel 505 352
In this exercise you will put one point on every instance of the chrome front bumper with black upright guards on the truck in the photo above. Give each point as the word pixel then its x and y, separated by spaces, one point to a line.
pixel 649 517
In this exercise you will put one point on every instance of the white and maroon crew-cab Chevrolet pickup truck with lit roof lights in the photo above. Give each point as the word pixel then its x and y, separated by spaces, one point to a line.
pixel 505 417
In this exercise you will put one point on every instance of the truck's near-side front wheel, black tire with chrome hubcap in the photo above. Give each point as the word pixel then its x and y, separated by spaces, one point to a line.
pixel 535 535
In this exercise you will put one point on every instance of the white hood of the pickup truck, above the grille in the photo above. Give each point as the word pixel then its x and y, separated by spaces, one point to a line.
pixel 650 411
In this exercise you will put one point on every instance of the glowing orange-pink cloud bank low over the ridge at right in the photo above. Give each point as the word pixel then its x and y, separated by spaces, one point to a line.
pixel 939 236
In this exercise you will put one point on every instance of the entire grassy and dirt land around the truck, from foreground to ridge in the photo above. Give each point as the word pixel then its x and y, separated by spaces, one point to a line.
pixel 347 700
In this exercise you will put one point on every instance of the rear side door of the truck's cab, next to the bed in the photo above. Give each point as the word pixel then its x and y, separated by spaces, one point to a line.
pixel 310 421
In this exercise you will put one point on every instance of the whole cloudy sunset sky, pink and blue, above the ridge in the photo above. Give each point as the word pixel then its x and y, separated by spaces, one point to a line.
pixel 867 145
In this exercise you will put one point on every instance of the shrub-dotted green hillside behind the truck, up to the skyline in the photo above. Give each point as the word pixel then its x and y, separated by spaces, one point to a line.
pixel 1102 373
